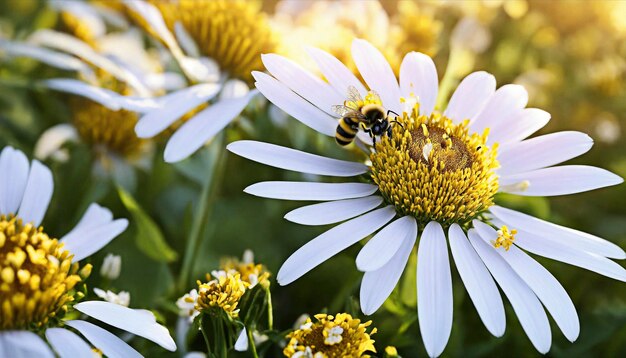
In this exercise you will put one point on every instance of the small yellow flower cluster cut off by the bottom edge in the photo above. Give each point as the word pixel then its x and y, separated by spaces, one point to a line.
pixel 339 336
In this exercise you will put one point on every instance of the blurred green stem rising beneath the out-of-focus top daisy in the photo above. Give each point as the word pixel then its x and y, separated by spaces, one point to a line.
pixel 203 214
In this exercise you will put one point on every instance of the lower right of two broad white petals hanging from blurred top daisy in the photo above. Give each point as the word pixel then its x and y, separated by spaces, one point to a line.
pixel 192 135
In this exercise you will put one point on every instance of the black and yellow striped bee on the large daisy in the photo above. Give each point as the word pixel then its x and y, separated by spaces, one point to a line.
pixel 356 113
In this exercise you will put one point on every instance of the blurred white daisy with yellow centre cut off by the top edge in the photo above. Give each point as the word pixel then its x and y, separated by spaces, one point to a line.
pixel 226 90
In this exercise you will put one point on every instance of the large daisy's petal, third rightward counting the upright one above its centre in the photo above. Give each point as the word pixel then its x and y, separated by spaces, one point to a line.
pixel 501 108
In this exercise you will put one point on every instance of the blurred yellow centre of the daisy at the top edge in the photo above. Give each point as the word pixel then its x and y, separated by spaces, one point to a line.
pixel 232 32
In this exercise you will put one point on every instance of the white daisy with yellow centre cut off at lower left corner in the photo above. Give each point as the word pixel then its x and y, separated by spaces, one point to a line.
pixel 41 275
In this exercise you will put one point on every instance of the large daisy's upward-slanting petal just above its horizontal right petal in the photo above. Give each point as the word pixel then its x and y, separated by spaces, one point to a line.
pixel 542 151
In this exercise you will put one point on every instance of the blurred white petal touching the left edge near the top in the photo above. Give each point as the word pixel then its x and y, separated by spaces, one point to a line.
pixel 52 58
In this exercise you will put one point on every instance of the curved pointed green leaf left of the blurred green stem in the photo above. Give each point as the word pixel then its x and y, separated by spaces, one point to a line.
pixel 148 238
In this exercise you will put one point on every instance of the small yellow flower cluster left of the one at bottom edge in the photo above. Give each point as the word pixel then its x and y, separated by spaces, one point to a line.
pixel 223 292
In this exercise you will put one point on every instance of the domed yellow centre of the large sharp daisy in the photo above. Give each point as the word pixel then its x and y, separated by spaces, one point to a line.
pixel 435 170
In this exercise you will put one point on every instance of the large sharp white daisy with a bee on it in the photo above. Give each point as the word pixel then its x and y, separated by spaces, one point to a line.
pixel 435 180
